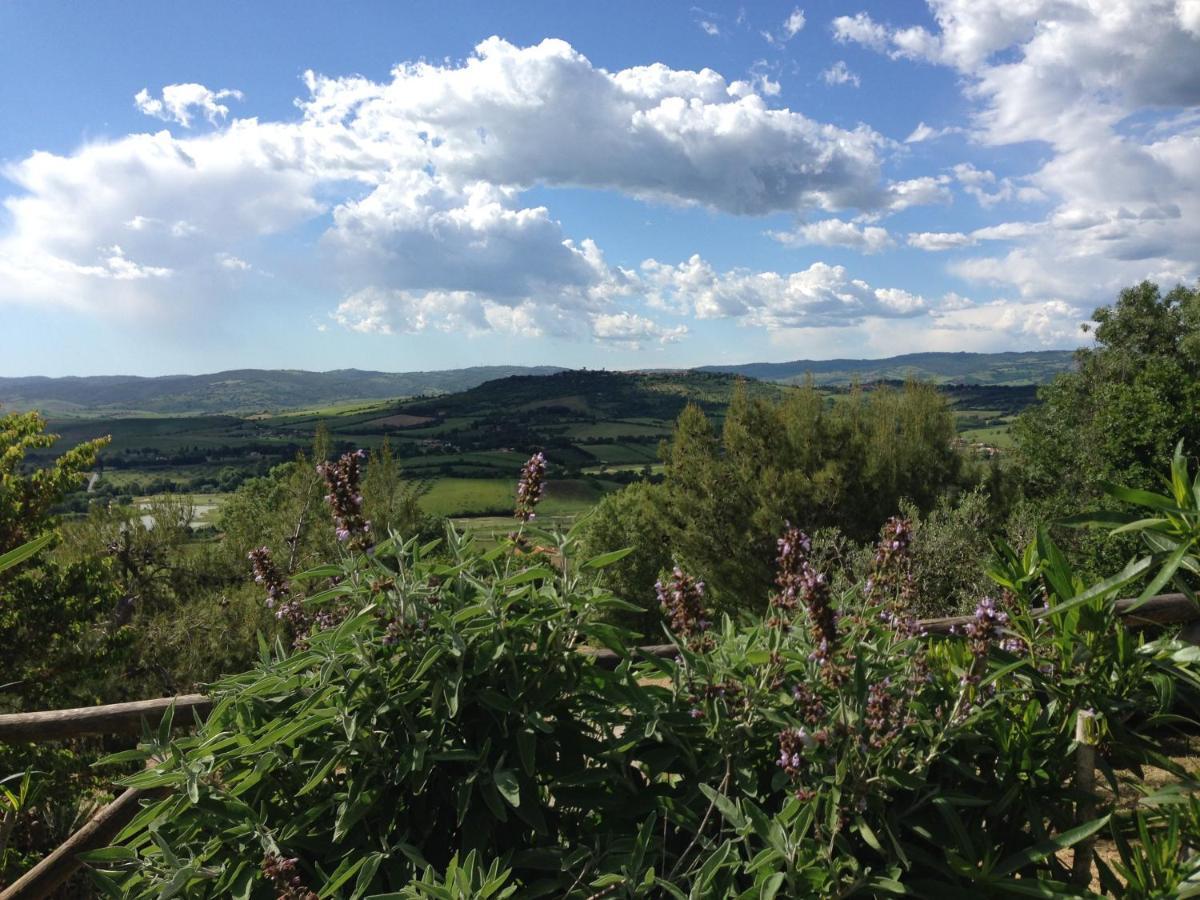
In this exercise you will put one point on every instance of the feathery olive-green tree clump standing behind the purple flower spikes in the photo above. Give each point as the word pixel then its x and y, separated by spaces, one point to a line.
pixel 803 461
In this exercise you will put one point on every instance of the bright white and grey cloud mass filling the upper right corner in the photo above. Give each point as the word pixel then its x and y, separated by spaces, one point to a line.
pixel 1075 75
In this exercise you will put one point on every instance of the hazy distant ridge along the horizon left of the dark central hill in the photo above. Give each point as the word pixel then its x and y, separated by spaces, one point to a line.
pixel 245 391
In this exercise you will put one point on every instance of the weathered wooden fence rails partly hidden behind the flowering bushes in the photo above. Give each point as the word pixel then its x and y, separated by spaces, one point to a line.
pixel 128 718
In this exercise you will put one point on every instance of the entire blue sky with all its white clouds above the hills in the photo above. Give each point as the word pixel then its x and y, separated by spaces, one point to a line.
pixel 398 187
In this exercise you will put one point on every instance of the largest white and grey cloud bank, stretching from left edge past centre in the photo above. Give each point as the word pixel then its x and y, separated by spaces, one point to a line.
pixel 422 178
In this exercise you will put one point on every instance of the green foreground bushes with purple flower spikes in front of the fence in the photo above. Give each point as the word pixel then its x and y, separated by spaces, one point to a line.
pixel 439 734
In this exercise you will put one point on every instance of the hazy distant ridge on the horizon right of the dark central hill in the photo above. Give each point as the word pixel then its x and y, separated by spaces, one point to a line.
pixel 1035 368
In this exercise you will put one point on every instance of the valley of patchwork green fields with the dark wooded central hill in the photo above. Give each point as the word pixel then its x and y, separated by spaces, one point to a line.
pixel 599 430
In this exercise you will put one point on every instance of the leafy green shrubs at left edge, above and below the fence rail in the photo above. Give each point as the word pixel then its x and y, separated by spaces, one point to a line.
pixel 53 625
